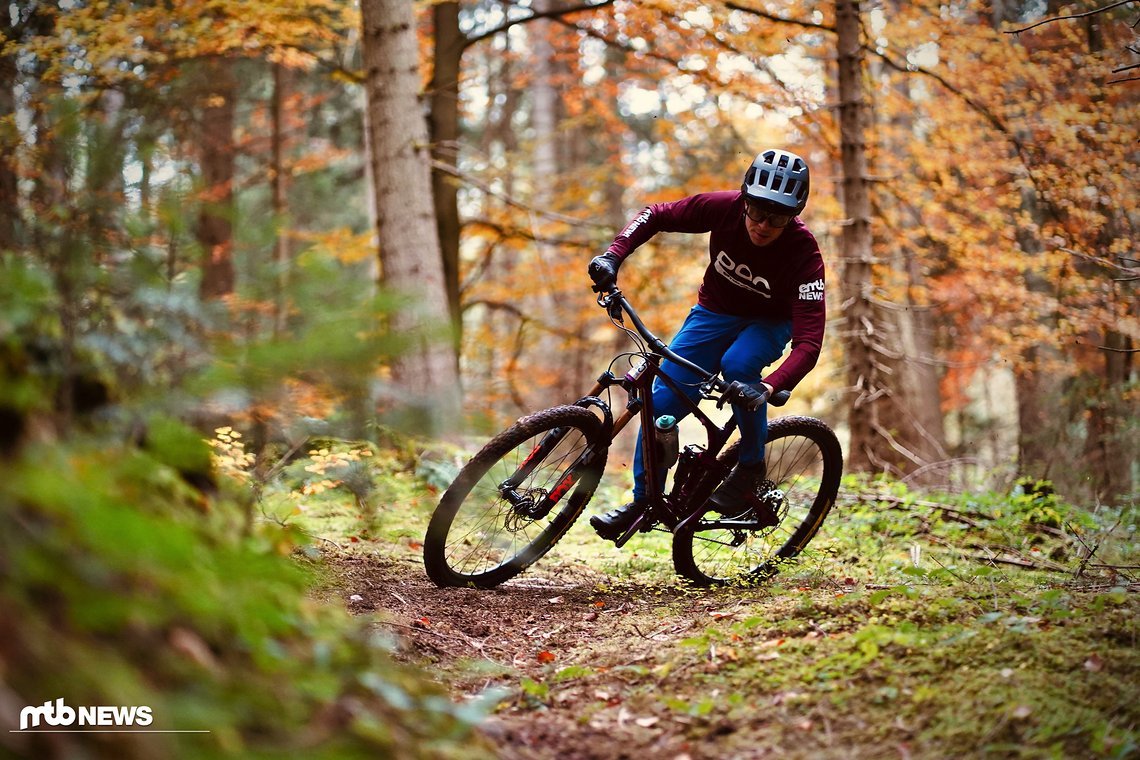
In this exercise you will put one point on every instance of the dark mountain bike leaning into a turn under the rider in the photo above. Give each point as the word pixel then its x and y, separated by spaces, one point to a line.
pixel 525 489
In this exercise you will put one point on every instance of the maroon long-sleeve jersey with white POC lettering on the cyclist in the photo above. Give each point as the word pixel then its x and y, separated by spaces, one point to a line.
pixel 781 281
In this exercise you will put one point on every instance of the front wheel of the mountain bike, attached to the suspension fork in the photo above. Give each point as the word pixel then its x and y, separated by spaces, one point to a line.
pixel 516 499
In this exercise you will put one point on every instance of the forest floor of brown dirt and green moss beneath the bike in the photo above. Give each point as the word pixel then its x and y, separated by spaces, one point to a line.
pixel 596 653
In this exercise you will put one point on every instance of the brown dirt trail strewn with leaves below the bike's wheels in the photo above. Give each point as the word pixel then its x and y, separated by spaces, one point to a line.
pixel 526 632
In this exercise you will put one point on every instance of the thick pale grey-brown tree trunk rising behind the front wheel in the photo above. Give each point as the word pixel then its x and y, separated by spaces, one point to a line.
pixel 426 374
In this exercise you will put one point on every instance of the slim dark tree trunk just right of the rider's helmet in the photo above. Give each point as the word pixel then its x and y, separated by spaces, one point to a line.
pixel 857 246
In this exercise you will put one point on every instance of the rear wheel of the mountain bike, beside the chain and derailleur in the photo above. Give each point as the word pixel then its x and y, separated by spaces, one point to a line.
pixel 804 467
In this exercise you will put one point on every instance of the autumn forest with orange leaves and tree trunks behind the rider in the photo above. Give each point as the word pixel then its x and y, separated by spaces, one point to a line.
pixel 194 186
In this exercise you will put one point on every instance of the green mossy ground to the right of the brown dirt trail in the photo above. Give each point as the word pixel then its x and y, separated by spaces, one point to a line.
pixel 948 671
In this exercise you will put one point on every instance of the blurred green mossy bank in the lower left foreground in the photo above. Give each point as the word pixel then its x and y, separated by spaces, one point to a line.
pixel 124 585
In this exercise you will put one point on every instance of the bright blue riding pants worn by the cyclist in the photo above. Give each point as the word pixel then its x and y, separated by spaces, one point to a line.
pixel 740 348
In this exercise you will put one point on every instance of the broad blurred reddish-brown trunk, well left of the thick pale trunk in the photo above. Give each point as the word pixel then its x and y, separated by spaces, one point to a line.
pixel 215 230
